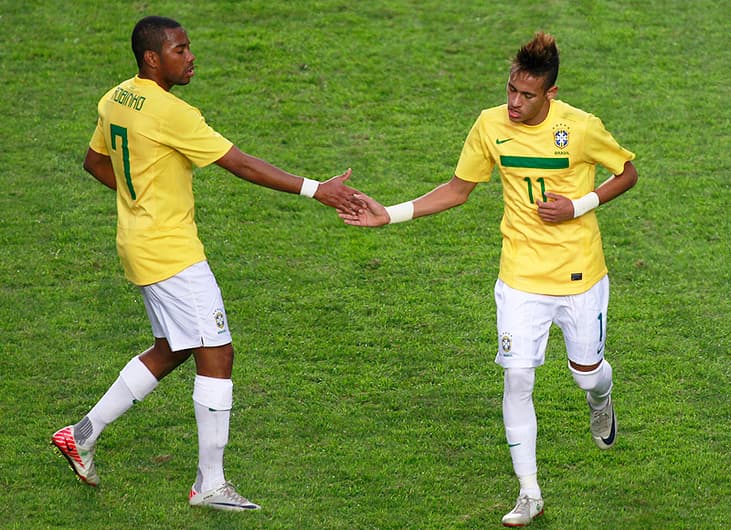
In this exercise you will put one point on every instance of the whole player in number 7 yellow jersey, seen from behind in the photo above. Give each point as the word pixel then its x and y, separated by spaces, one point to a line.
pixel 145 146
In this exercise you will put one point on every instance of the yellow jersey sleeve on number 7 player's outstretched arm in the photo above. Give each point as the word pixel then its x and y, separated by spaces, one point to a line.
pixel 188 133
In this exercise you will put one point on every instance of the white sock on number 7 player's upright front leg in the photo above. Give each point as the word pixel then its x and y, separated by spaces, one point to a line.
pixel 212 400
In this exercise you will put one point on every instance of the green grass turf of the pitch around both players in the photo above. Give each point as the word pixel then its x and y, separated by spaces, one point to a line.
pixel 365 390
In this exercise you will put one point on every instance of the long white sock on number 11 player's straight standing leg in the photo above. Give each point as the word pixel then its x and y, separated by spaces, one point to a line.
pixel 521 427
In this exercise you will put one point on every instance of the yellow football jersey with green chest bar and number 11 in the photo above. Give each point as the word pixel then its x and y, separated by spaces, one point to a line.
pixel 558 155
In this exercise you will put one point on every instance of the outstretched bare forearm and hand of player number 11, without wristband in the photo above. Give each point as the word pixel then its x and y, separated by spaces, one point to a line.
pixel 448 195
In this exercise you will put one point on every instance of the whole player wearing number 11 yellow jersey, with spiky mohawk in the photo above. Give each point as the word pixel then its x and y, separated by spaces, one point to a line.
pixel 552 266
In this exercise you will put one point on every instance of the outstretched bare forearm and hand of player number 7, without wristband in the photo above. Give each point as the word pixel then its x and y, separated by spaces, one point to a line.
pixel 332 192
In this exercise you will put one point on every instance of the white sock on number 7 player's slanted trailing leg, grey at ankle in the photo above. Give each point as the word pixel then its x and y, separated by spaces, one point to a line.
pixel 134 383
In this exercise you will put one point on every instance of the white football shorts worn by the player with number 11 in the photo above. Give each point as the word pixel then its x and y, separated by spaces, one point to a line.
pixel 524 320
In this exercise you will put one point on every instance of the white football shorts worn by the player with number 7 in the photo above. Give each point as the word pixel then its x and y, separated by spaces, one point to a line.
pixel 187 309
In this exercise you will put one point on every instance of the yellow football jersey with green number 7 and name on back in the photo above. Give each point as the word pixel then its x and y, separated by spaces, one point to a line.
pixel 154 139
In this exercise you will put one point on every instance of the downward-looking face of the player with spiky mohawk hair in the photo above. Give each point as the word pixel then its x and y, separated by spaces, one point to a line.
pixel 528 100
